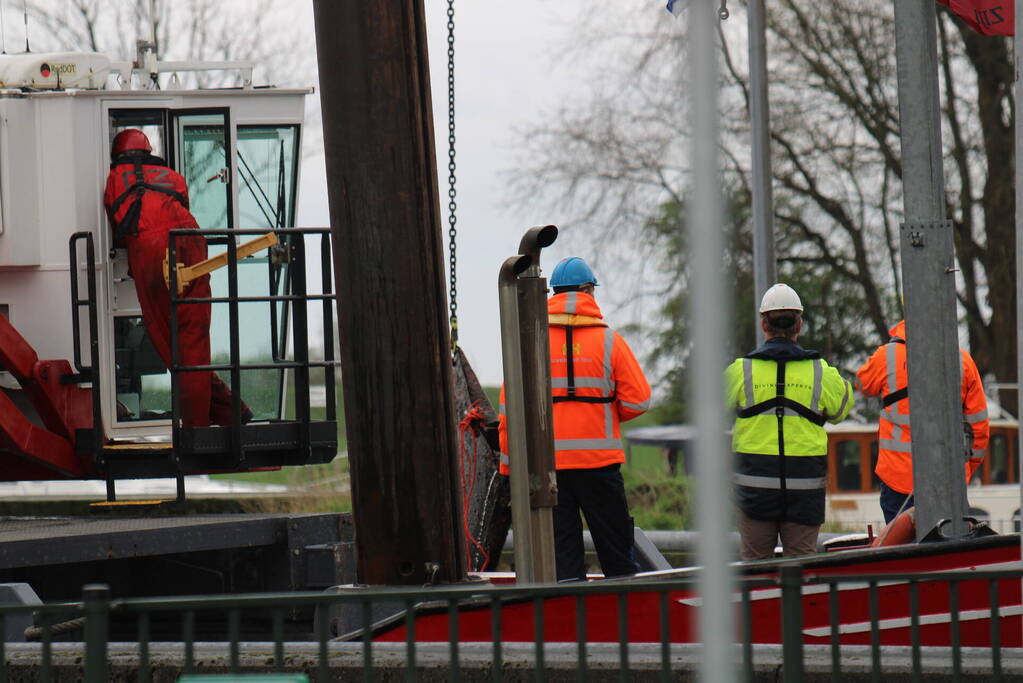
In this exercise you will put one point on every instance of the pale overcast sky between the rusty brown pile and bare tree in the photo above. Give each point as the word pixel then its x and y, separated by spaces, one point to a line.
pixel 507 77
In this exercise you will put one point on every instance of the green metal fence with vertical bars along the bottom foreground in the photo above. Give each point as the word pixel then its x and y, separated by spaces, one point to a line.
pixel 95 614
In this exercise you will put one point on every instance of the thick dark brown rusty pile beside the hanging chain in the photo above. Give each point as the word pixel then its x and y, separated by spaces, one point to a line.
pixel 389 271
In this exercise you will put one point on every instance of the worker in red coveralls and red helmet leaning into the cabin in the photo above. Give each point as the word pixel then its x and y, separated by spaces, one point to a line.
pixel 146 200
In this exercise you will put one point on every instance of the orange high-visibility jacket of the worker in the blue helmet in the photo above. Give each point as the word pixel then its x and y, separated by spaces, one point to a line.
pixel 597 385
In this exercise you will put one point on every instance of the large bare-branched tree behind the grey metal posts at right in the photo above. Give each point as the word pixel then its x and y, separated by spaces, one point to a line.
pixel 614 163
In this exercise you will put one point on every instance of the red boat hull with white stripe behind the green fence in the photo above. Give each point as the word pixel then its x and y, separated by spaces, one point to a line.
pixel 643 622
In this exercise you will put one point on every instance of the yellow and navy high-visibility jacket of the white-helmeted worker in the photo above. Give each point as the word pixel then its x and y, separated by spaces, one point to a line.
pixel 779 440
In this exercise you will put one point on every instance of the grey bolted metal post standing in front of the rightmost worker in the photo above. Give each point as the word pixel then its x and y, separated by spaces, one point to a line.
pixel 929 280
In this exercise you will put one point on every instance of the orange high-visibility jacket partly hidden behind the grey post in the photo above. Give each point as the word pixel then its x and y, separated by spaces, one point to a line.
pixel 885 376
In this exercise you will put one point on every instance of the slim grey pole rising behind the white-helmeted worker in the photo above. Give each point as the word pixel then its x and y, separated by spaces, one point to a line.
pixel 765 266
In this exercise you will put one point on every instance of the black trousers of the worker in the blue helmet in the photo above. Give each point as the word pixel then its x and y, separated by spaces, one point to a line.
pixel 600 494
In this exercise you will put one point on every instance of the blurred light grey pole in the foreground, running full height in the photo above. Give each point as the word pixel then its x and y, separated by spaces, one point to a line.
pixel 709 313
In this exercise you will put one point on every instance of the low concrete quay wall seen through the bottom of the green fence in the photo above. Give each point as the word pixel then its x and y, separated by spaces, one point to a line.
pixel 476 663
